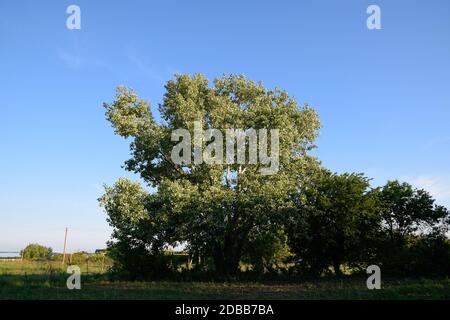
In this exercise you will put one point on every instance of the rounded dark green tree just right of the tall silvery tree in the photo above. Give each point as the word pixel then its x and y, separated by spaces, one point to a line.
pixel 336 218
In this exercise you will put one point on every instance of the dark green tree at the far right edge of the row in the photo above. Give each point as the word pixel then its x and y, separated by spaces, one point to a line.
pixel 413 240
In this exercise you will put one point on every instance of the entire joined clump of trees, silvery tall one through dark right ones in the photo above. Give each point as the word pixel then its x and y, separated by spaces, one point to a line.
pixel 228 214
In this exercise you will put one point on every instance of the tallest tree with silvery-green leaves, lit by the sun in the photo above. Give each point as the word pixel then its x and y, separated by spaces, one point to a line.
pixel 211 208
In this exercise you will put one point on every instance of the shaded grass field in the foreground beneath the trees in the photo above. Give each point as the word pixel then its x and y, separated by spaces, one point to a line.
pixel 44 280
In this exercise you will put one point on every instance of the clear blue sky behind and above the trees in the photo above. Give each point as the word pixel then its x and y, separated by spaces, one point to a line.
pixel 383 95
